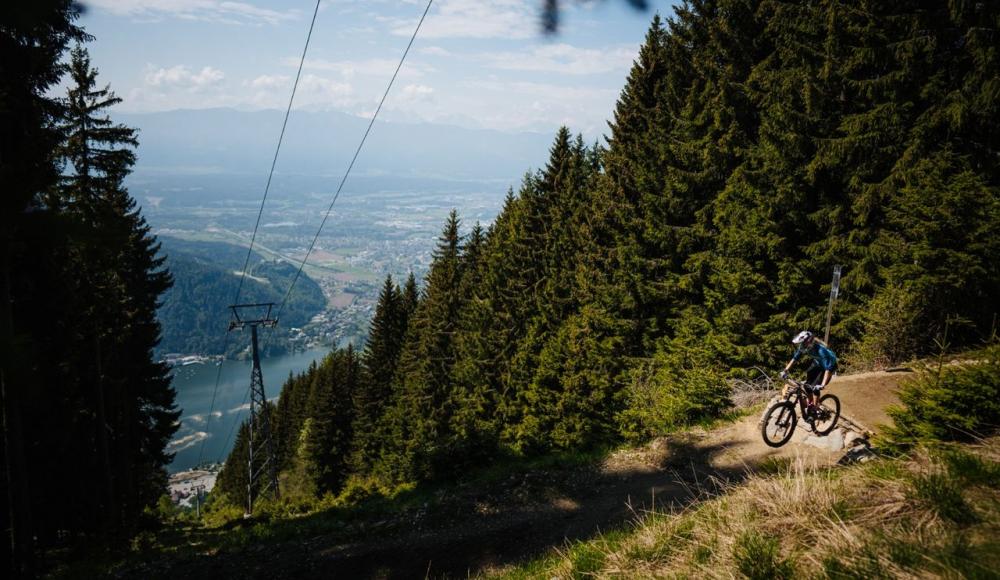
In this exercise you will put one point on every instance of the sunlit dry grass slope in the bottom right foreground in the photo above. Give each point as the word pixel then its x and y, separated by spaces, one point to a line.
pixel 927 515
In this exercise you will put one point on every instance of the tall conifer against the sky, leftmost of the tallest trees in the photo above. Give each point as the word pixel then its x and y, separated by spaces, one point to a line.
pixel 631 255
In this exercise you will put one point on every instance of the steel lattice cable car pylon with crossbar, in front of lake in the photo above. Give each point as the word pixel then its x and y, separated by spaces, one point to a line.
pixel 262 465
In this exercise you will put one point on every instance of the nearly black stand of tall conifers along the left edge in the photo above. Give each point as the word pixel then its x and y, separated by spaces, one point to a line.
pixel 87 412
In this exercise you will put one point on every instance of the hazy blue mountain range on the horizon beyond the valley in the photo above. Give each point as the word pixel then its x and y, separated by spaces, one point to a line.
pixel 229 141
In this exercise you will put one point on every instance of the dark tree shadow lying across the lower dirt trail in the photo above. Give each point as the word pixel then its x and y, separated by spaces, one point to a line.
pixel 465 538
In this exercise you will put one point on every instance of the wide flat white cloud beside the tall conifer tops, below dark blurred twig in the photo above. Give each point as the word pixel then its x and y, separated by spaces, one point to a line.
pixel 565 59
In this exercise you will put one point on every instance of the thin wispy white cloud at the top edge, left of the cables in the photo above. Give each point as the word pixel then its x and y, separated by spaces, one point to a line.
pixel 224 11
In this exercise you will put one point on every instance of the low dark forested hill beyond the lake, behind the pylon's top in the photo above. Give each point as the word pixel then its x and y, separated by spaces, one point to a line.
pixel 195 310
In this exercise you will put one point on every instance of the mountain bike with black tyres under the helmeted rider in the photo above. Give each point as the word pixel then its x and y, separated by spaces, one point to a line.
pixel 780 420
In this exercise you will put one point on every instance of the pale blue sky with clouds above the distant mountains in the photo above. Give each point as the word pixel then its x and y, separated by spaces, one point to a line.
pixel 476 63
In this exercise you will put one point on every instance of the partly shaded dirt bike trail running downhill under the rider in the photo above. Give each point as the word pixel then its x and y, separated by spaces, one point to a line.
pixel 477 529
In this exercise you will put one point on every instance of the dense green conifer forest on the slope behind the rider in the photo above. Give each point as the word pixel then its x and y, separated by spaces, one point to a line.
pixel 755 145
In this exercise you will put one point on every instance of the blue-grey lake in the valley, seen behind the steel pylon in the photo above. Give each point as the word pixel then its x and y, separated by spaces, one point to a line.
pixel 194 384
